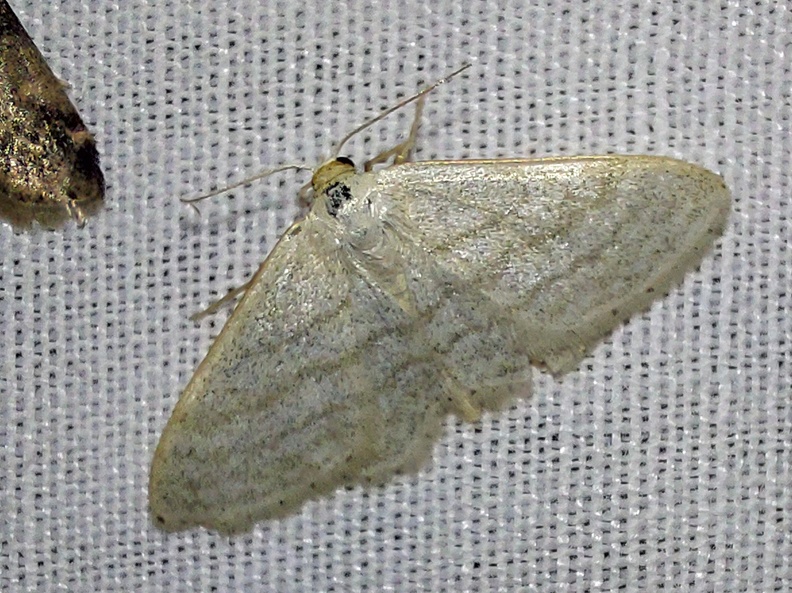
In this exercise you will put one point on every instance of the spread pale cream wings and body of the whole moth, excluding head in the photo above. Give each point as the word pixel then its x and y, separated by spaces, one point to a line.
pixel 431 296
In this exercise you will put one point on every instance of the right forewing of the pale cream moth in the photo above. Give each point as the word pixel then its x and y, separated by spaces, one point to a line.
pixel 578 246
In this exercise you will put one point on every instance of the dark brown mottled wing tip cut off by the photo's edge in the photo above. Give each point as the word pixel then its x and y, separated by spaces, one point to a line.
pixel 49 165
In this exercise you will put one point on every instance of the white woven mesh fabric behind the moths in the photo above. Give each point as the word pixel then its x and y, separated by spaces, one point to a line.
pixel 663 463
